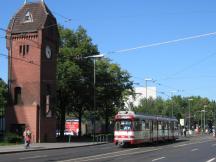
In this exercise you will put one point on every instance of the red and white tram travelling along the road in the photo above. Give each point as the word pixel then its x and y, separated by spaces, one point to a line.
pixel 131 128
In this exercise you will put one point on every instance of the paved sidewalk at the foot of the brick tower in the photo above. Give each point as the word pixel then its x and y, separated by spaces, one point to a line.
pixel 44 146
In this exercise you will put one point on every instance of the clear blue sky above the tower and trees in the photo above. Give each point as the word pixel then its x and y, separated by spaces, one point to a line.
pixel 187 67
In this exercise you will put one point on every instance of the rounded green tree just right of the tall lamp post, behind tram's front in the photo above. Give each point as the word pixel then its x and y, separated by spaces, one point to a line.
pixel 113 84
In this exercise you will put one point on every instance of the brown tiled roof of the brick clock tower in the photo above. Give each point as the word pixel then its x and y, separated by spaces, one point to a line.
pixel 30 18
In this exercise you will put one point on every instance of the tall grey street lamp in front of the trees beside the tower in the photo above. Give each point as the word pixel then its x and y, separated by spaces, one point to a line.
pixel 94 57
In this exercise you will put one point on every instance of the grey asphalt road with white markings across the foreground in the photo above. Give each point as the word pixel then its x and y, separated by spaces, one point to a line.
pixel 199 149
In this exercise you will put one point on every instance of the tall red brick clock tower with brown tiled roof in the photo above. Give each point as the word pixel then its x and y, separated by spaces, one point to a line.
pixel 32 43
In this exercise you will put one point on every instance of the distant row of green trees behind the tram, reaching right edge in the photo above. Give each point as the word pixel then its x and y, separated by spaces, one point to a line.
pixel 181 106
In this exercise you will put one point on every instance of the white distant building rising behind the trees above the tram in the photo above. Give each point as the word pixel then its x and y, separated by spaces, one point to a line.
pixel 140 93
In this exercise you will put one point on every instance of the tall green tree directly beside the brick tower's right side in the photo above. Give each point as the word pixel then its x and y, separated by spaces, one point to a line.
pixel 73 73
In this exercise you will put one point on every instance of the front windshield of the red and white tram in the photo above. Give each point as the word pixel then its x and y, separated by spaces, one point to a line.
pixel 123 125
